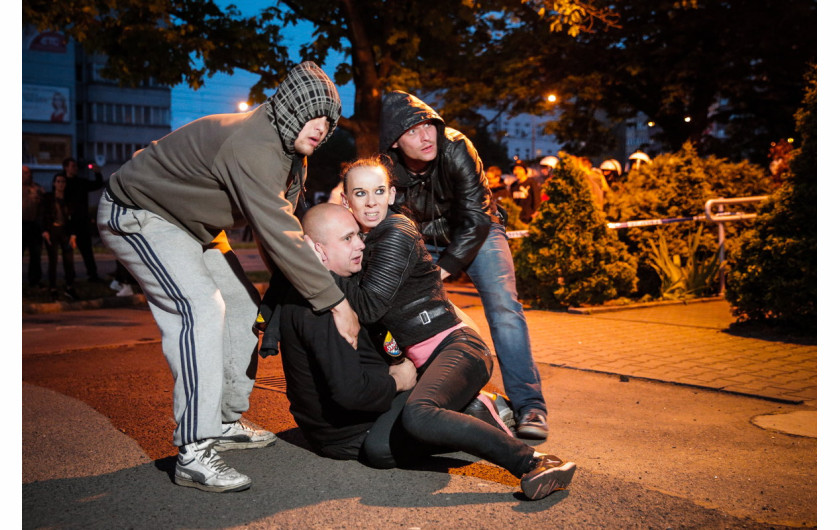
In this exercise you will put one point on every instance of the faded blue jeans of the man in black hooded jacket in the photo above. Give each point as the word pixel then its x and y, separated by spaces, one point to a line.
pixel 493 275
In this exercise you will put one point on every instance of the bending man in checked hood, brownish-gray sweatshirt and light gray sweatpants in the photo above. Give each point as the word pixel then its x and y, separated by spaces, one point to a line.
pixel 163 215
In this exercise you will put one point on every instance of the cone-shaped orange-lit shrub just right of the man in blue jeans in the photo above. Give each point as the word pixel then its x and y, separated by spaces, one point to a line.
pixel 570 256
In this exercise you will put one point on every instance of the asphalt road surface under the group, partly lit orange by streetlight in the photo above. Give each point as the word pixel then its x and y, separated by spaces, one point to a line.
pixel 97 429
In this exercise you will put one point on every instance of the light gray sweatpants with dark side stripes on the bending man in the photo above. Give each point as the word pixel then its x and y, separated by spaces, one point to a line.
pixel 205 308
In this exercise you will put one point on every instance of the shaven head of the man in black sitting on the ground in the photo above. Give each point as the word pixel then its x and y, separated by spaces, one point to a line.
pixel 335 236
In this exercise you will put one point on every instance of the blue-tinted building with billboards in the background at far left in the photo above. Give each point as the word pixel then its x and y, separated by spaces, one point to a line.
pixel 69 110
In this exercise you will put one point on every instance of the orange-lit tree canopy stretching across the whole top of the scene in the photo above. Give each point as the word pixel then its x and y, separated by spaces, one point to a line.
pixel 607 61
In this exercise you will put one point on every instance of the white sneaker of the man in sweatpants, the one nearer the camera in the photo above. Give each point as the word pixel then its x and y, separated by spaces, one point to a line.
pixel 200 466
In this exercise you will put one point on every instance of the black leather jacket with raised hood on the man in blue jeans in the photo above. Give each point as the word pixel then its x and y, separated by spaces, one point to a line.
pixel 451 200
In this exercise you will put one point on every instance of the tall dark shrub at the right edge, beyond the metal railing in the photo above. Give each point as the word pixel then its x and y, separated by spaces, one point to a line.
pixel 773 276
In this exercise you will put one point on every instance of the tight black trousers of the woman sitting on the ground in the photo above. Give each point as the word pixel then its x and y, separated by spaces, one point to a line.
pixel 429 422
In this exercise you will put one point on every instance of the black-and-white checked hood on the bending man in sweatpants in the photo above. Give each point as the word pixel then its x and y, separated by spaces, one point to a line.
pixel 306 93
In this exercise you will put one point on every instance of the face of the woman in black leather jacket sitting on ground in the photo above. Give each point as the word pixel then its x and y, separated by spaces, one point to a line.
pixel 368 194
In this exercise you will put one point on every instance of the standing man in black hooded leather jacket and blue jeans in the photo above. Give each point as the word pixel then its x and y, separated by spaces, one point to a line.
pixel 441 184
